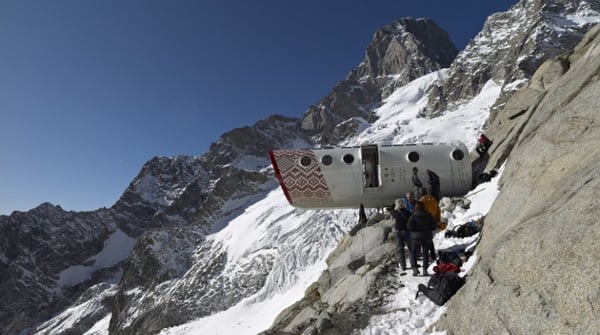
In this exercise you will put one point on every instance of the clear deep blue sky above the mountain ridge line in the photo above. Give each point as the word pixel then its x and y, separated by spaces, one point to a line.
pixel 91 90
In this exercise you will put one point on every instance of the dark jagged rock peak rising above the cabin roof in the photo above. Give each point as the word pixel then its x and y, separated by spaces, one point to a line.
pixel 399 53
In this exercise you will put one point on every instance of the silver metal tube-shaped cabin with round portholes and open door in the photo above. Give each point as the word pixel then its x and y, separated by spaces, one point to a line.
pixel 372 175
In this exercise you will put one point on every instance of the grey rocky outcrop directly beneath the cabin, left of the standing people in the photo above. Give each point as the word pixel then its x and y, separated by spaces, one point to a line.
pixel 357 283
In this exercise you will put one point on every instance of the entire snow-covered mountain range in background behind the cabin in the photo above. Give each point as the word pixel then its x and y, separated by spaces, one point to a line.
pixel 209 245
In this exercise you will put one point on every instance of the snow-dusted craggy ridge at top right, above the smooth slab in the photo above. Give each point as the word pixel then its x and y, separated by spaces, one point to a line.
pixel 511 46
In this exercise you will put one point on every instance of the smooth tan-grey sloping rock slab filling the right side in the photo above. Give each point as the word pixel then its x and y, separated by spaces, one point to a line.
pixel 536 273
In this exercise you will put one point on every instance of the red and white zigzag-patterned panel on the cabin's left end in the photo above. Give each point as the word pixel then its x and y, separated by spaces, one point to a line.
pixel 303 185
